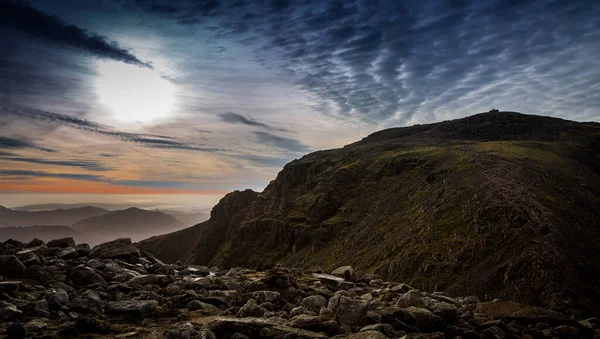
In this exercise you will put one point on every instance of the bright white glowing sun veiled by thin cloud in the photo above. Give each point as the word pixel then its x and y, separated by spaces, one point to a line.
pixel 132 93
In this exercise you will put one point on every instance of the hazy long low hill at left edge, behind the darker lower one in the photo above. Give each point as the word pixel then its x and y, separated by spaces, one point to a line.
pixel 13 218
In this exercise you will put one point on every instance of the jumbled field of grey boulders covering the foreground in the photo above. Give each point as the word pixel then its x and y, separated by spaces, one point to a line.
pixel 61 289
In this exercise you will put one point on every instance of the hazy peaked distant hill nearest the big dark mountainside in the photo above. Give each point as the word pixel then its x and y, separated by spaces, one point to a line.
pixel 131 223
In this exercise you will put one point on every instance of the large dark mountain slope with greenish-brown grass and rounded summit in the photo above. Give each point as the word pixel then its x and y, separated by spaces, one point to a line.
pixel 496 204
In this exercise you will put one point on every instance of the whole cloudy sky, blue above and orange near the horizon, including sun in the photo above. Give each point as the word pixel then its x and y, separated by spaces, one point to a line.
pixel 204 97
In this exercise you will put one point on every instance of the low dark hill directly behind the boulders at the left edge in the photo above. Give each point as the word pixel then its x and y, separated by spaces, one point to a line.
pixel 45 233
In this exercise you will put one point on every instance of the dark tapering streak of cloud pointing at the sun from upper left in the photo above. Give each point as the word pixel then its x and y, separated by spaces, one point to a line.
pixel 25 18
